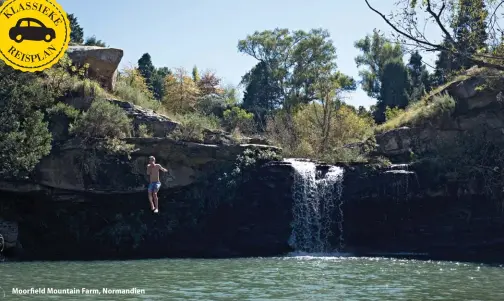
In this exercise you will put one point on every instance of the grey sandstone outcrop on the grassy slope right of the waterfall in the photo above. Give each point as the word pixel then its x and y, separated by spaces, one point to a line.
pixel 475 109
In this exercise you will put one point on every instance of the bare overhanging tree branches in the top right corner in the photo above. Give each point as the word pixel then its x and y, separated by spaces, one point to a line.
pixel 411 30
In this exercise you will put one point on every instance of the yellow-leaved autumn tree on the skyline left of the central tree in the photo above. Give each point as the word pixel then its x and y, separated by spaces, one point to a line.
pixel 181 93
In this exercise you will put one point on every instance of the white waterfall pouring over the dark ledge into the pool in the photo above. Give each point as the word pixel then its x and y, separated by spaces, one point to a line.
pixel 315 197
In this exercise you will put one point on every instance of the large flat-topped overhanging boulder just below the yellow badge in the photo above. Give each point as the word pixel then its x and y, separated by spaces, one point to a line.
pixel 103 62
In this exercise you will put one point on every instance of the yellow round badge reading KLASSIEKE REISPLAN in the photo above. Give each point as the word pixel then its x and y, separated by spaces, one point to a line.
pixel 34 35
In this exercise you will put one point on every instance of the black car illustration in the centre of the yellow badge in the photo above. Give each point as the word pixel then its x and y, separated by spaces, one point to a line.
pixel 31 29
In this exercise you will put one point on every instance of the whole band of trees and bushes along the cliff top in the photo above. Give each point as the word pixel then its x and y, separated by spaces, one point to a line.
pixel 294 96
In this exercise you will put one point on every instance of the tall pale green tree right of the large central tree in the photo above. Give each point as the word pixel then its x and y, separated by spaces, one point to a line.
pixel 376 50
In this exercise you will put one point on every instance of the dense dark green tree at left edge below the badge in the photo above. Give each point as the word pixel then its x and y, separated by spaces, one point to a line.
pixel 24 136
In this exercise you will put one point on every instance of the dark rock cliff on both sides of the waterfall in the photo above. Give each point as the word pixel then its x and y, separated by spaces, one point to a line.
pixel 224 200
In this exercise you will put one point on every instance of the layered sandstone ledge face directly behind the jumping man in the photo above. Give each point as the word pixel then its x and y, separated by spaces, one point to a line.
pixel 75 168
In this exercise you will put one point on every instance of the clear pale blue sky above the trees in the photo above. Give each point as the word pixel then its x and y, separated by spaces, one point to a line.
pixel 205 33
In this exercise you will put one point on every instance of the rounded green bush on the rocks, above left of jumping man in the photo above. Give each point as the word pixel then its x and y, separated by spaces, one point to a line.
pixel 102 120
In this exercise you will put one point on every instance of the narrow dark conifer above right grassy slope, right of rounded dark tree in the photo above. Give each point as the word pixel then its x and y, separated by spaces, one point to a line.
pixel 420 80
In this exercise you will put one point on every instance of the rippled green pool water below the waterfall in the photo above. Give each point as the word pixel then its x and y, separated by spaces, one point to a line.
pixel 287 278
